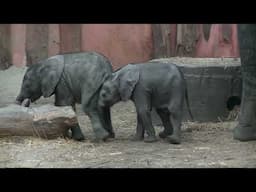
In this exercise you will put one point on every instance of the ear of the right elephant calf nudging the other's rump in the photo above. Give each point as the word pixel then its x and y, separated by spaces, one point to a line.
pixel 127 83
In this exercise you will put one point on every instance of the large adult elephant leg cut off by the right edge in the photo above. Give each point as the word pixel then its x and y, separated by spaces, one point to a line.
pixel 246 128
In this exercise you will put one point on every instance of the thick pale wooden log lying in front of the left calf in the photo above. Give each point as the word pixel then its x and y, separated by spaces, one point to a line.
pixel 46 121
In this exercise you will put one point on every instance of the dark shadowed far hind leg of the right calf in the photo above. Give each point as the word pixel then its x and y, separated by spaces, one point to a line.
pixel 165 117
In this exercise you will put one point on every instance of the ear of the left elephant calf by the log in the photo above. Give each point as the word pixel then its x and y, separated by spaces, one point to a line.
pixel 50 75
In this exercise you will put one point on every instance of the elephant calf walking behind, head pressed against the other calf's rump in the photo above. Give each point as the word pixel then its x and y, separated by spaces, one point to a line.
pixel 158 85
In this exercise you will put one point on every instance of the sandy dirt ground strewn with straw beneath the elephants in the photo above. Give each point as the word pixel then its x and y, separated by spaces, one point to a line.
pixel 204 145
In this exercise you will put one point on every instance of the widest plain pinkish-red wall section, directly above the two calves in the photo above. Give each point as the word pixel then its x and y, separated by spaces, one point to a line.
pixel 121 43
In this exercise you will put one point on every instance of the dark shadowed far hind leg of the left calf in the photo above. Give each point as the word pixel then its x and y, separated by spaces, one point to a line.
pixel 106 120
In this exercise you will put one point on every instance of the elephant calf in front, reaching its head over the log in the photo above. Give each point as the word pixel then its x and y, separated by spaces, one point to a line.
pixel 73 78
